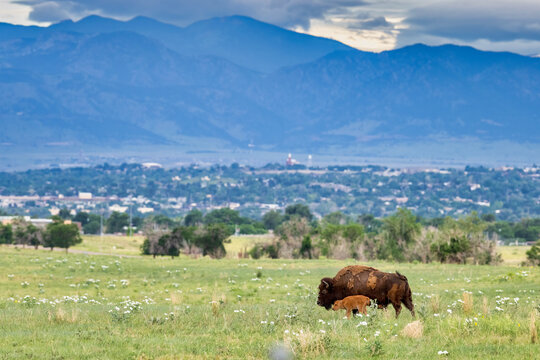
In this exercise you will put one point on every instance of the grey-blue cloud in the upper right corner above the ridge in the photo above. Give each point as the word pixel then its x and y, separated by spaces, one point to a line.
pixel 494 20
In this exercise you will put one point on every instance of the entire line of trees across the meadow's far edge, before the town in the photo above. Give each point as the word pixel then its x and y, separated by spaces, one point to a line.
pixel 402 236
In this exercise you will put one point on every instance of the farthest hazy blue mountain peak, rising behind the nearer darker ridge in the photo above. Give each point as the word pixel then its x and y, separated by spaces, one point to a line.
pixel 239 39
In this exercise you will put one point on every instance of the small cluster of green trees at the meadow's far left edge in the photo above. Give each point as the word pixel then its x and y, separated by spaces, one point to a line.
pixel 55 234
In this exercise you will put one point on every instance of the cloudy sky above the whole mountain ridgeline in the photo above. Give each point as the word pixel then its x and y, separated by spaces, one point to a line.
pixel 370 25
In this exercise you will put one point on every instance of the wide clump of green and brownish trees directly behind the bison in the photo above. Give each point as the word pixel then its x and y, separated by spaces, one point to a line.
pixel 399 237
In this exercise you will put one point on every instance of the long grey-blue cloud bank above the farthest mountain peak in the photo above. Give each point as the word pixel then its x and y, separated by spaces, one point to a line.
pixel 287 13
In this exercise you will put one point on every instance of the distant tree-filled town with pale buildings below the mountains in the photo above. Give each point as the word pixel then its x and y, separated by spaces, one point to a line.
pixel 149 189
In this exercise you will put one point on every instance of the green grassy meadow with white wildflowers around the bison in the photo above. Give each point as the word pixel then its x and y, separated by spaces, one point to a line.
pixel 58 306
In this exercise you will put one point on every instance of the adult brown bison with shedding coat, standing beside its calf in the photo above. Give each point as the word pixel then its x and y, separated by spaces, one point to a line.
pixel 386 288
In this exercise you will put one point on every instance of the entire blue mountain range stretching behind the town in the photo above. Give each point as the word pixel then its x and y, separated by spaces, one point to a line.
pixel 235 81
